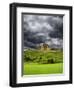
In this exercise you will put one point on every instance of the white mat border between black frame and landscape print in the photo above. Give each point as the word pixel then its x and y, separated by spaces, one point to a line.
pixel 43 78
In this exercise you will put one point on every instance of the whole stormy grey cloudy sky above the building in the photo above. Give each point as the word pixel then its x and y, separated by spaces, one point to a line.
pixel 39 29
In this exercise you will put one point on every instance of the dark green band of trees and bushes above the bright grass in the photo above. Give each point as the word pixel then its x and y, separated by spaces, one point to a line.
pixel 44 58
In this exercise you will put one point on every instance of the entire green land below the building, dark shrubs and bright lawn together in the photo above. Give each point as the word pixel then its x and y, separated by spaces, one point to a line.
pixel 42 62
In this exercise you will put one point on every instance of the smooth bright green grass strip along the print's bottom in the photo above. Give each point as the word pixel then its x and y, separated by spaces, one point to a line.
pixel 33 68
